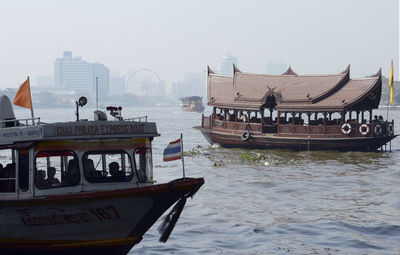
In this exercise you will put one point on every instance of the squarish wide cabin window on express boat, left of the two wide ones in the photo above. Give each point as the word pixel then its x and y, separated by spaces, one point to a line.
pixel 56 169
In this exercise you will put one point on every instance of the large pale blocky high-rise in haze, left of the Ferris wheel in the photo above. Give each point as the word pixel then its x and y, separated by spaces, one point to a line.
pixel 80 76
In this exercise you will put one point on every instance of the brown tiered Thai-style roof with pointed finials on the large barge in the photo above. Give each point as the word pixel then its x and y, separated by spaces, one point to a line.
pixel 293 92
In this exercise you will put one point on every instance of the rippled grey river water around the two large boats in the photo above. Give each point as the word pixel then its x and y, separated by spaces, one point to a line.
pixel 274 202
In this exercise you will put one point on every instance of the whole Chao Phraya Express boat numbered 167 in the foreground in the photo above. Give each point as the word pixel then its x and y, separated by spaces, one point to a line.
pixel 83 187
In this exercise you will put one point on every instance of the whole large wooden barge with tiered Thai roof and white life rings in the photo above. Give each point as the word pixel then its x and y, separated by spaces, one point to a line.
pixel 299 112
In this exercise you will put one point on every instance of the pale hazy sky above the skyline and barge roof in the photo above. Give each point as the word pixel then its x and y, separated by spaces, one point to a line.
pixel 175 37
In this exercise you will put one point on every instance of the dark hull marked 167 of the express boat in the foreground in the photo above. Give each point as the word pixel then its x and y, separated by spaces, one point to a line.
pixel 102 222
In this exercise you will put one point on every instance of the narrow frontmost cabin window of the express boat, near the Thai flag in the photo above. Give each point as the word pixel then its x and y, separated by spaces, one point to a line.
pixel 143 165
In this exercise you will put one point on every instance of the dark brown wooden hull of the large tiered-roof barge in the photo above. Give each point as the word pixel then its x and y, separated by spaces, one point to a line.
pixel 270 141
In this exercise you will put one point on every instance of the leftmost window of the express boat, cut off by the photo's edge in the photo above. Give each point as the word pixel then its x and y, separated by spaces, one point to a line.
pixel 7 171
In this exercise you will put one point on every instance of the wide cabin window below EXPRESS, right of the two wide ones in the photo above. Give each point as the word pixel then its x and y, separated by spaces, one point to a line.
pixel 109 166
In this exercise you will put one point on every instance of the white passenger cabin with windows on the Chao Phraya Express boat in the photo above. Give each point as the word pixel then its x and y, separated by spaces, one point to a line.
pixel 40 159
